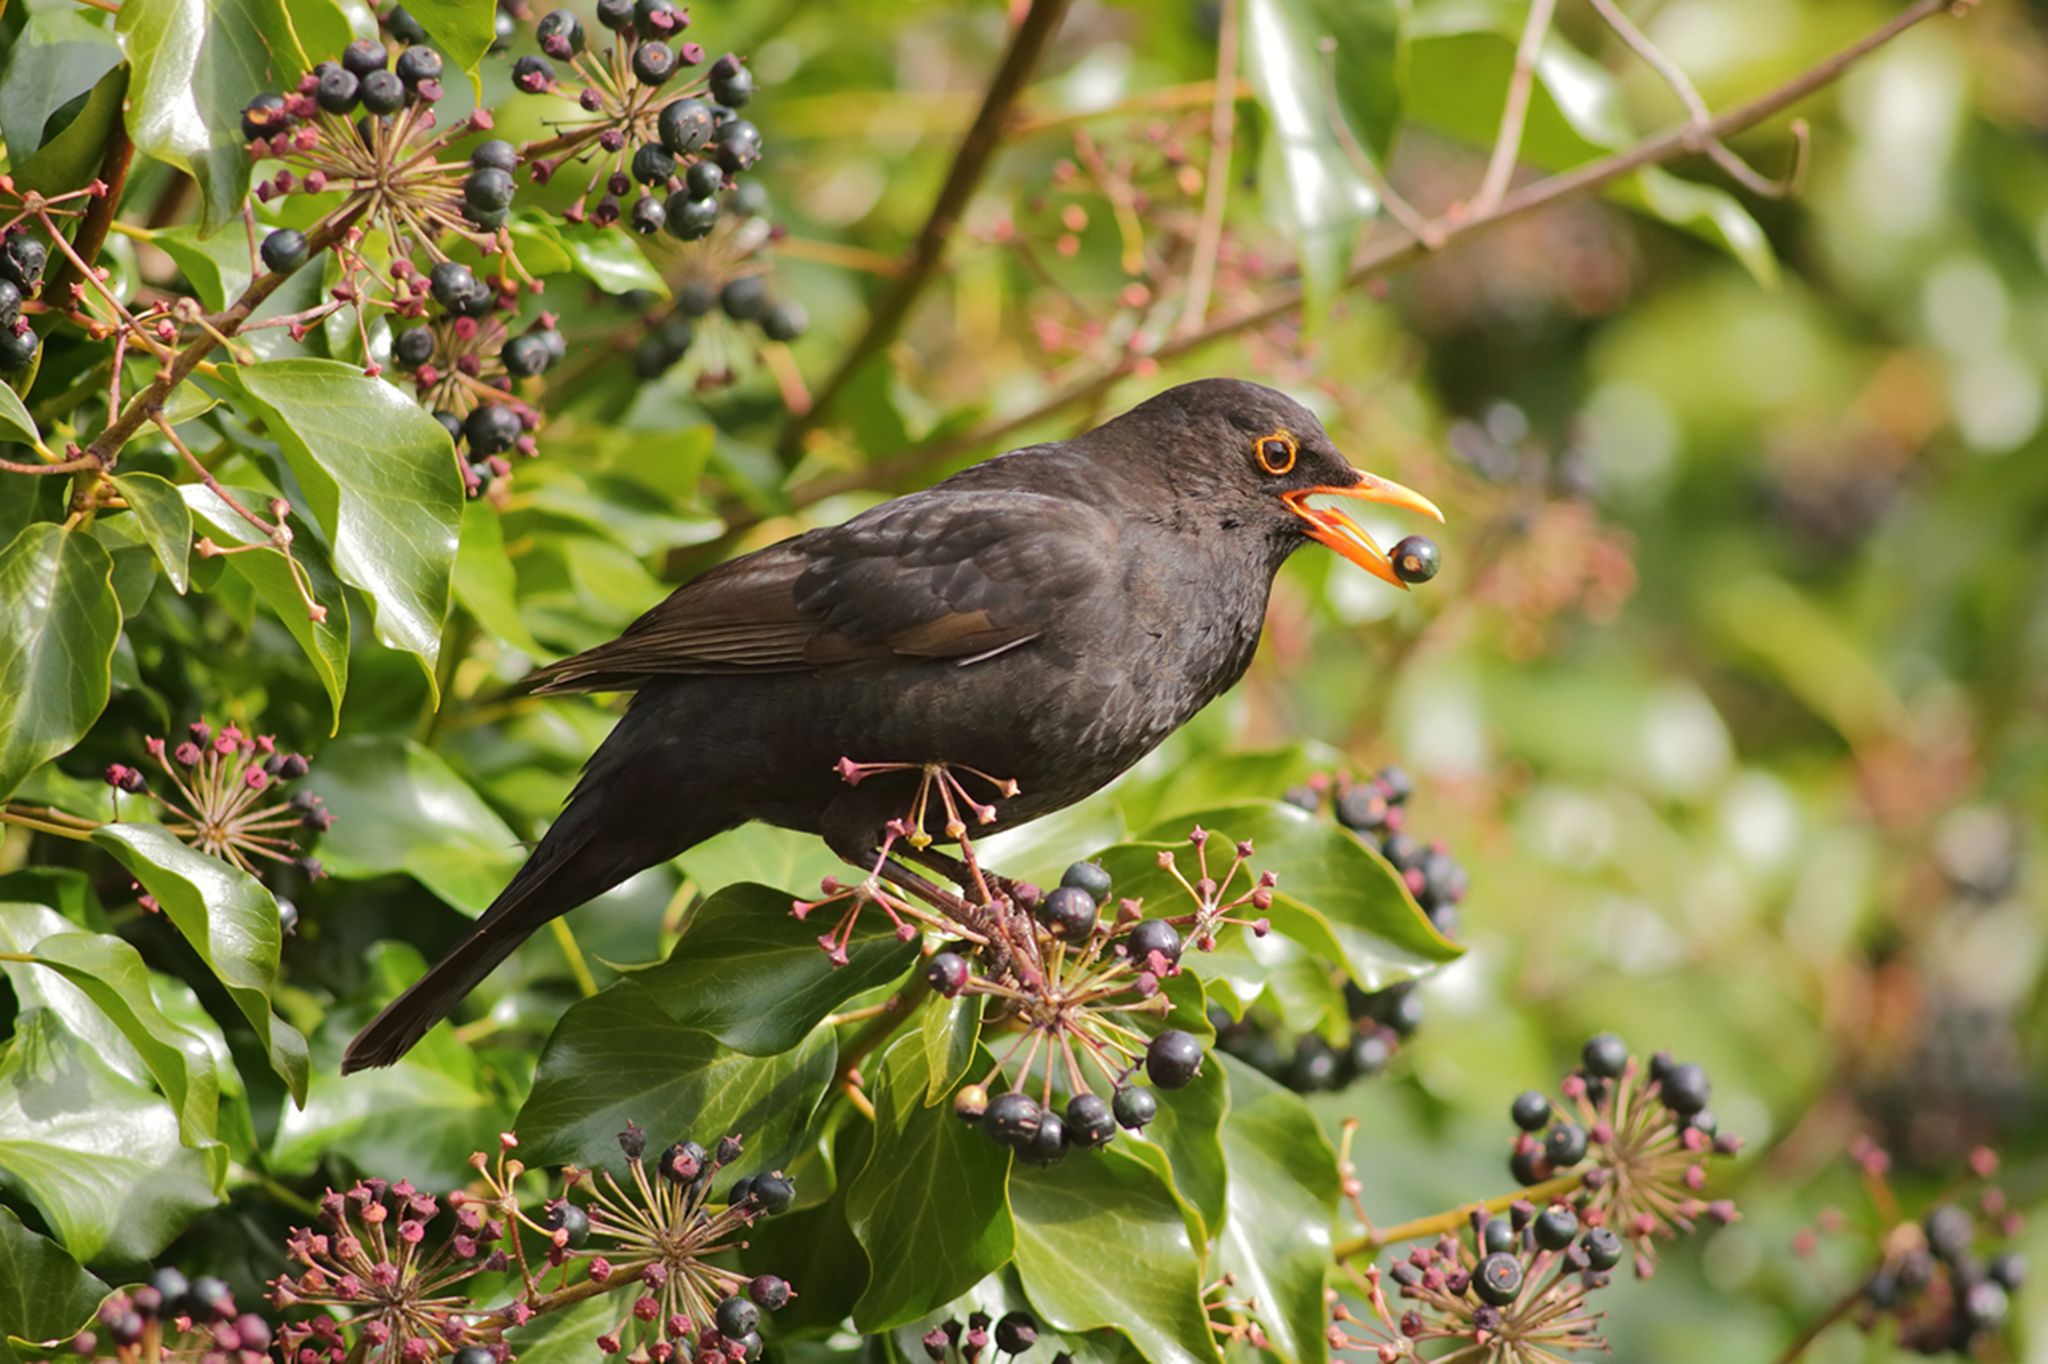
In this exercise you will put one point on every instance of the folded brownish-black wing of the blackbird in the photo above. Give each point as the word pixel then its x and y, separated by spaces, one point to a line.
pixel 939 574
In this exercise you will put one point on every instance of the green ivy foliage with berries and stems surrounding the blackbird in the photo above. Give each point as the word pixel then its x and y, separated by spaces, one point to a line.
pixel 1646 898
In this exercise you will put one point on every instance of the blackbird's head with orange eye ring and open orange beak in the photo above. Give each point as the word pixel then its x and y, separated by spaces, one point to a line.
pixel 1254 460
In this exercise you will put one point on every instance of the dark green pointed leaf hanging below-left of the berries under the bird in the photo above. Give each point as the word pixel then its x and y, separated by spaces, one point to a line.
pixel 931 1183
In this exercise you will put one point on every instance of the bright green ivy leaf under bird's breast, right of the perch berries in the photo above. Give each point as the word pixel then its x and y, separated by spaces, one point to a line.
pixel 1334 896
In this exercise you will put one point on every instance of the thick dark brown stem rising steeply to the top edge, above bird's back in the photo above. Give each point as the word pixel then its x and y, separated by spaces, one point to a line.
pixel 970 163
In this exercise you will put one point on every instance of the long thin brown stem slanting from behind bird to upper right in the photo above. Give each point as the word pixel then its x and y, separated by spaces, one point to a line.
pixel 1375 261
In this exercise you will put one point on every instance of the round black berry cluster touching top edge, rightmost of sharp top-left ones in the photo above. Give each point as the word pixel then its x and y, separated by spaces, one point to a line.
pixel 642 122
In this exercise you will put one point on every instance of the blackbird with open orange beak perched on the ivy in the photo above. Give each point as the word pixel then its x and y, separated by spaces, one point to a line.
pixel 1043 617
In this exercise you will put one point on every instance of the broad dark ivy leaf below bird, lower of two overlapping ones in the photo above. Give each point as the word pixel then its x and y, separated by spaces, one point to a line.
pixel 620 1058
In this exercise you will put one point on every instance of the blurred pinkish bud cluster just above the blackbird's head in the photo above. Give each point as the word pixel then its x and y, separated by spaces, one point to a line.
pixel 1148 181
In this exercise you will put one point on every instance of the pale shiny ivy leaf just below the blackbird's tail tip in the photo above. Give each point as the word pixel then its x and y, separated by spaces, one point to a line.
pixel 423 1115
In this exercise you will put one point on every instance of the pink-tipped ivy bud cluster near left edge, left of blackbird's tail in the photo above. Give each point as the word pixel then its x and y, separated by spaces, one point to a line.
pixel 226 796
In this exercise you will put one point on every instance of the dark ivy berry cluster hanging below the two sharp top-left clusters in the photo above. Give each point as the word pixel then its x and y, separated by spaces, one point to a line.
pixel 468 366
